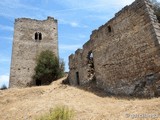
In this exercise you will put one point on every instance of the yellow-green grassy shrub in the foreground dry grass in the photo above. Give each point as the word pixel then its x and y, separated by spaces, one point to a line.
pixel 59 113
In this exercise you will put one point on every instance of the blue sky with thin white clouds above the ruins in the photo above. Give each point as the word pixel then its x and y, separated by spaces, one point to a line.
pixel 76 21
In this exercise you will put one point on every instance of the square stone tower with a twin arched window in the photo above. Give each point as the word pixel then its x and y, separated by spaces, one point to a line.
pixel 30 38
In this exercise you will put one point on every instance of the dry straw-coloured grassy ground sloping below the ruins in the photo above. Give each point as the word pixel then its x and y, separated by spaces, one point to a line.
pixel 29 103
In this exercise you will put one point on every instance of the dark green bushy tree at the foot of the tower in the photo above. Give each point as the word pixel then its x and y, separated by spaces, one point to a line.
pixel 48 68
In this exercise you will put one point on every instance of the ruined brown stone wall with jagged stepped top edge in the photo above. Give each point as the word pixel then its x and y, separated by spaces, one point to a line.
pixel 122 56
